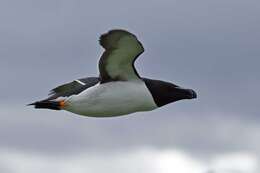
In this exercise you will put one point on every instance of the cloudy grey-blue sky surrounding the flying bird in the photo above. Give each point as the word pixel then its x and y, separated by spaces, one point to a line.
pixel 209 46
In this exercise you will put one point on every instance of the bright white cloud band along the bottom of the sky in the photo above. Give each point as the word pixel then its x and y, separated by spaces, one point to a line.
pixel 139 160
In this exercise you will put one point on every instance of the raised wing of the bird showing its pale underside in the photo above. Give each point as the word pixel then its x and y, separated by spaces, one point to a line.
pixel 121 50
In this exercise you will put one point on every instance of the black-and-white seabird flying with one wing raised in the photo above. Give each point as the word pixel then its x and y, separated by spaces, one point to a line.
pixel 119 89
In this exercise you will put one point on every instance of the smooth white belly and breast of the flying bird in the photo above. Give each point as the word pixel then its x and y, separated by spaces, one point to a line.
pixel 112 99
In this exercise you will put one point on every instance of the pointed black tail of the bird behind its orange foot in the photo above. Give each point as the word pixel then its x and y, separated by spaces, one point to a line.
pixel 46 104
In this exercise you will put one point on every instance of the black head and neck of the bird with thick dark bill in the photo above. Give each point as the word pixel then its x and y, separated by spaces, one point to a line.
pixel 164 92
